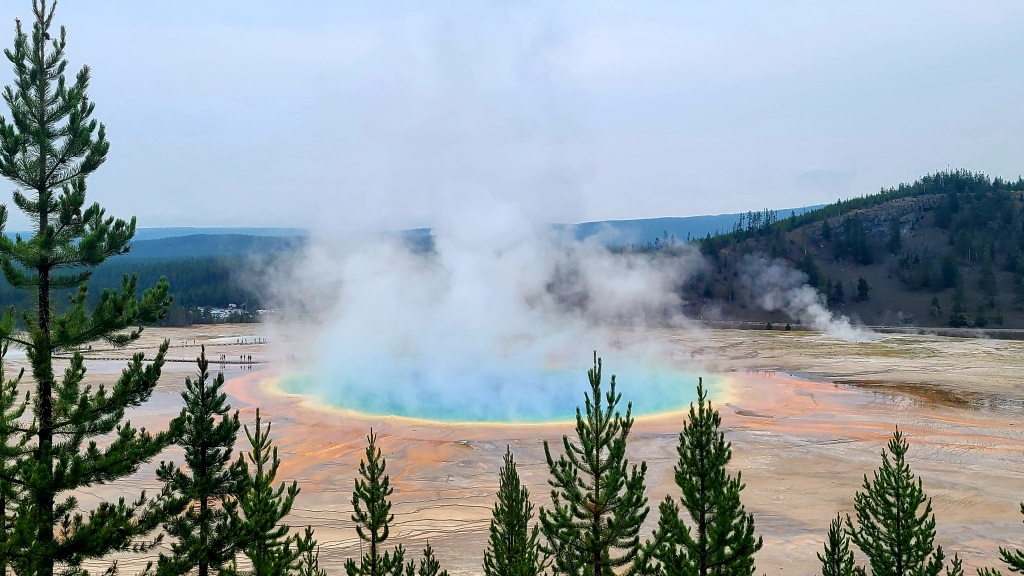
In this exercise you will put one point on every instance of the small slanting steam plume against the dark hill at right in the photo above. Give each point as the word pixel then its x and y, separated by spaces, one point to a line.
pixel 778 286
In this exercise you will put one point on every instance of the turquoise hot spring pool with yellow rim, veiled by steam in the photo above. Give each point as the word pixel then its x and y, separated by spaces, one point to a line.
pixel 497 395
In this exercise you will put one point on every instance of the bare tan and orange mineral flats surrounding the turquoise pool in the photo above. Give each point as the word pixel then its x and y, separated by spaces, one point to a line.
pixel 807 416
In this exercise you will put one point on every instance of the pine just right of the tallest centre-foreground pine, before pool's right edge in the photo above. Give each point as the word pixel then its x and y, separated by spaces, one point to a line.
pixel 719 538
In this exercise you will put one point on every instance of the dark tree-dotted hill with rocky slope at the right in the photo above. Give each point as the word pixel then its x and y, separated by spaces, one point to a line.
pixel 947 251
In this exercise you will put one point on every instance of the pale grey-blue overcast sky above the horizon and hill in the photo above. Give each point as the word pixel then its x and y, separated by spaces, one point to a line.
pixel 370 115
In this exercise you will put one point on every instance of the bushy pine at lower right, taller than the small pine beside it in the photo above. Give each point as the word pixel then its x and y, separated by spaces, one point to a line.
pixel 895 526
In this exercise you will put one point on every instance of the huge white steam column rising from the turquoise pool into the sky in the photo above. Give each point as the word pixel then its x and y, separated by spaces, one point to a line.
pixel 499 301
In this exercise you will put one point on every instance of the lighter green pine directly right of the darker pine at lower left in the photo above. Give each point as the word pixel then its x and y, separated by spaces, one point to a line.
pixel 267 543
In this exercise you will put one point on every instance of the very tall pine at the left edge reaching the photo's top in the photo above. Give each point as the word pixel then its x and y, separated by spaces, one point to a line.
pixel 49 148
